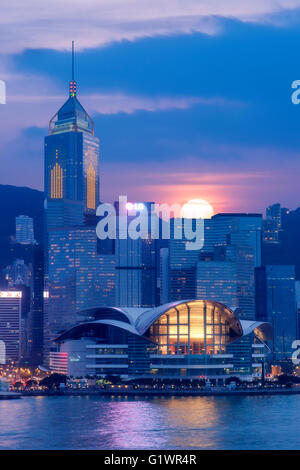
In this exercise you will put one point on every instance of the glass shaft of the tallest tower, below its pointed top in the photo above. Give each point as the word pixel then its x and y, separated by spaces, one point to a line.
pixel 71 175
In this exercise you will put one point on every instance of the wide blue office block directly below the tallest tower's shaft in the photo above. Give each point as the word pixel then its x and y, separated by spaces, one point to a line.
pixel 80 277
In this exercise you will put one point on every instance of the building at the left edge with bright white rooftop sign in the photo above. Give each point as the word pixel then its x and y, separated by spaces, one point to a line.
pixel 10 325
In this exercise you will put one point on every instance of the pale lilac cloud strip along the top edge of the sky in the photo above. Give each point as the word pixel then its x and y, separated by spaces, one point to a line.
pixel 35 24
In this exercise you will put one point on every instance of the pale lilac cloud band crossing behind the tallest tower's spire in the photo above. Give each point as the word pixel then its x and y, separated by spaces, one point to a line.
pixel 32 99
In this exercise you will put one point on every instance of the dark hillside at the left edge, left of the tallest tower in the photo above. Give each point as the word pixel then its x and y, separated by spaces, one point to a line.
pixel 15 200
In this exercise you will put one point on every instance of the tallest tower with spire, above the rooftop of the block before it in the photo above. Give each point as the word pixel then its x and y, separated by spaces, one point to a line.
pixel 71 164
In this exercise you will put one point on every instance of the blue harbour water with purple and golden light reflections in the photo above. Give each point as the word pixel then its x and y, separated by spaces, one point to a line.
pixel 156 423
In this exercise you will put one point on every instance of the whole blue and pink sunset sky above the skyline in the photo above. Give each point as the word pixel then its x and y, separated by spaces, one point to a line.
pixel 190 99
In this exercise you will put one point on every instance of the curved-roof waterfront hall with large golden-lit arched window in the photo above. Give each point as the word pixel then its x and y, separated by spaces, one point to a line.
pixel 186 339
